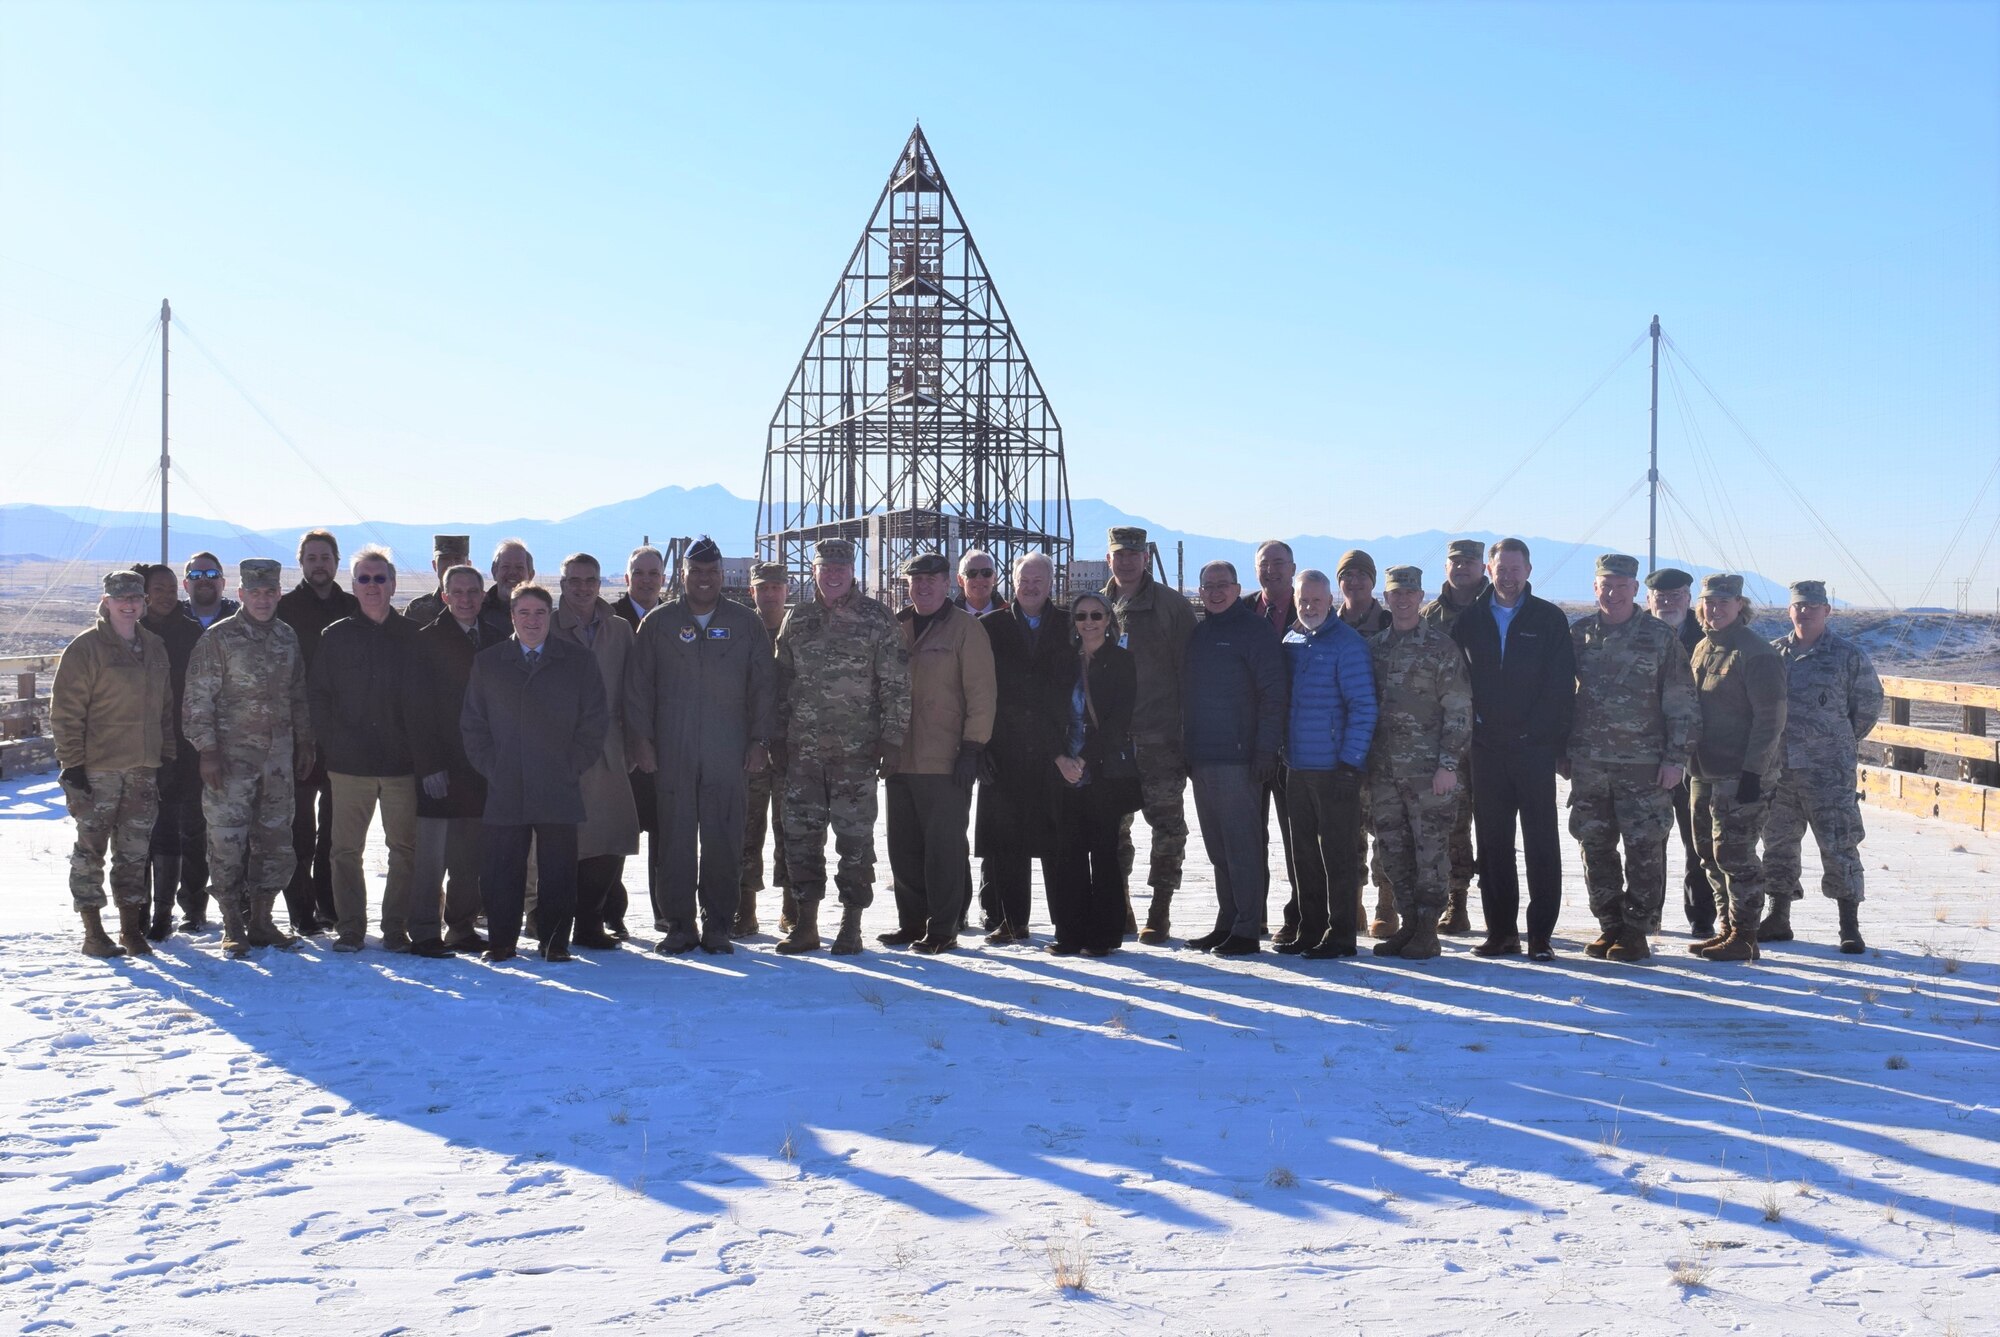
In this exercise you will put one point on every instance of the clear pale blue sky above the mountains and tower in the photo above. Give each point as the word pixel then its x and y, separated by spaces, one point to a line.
pixel 1283 269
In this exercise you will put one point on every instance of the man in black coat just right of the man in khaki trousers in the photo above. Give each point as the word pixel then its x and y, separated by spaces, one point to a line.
pixel 451 796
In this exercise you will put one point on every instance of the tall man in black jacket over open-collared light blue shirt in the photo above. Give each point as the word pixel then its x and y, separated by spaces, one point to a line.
pixel 1523 696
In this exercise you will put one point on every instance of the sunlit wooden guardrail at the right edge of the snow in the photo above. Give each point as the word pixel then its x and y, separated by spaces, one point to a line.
pixel 1975 796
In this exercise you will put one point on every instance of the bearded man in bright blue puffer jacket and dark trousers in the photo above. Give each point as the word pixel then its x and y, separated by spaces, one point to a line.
pixel 1327 754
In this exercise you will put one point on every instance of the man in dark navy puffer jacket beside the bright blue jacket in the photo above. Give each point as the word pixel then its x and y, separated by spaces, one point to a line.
pixel 1235 708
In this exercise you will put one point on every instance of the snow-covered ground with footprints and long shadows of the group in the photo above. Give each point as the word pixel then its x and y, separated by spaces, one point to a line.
pixel 895 1144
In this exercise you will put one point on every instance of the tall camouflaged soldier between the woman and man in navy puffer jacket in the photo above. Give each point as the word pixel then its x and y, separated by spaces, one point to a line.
pixel 1155 629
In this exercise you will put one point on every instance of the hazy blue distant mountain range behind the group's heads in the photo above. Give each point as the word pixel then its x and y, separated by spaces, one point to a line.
pixel 105 537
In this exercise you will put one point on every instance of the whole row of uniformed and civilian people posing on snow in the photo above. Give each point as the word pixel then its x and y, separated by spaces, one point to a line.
pixel 519 746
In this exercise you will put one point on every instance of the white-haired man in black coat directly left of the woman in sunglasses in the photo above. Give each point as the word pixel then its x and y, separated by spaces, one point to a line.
pixel 1033 663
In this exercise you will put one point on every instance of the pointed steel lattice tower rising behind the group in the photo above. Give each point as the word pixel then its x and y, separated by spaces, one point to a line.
pixel 915 419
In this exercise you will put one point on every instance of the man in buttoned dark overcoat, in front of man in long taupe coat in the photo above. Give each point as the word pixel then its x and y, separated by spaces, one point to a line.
pixel 535 720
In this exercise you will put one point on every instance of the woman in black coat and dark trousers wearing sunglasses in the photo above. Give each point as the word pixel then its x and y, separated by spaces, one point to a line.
pixel 1097 786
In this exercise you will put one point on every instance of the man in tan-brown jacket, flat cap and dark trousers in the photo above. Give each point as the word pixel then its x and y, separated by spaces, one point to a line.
pixel 931 790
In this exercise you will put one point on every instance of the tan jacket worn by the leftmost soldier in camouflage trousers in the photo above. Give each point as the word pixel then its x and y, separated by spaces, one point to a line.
pixel 113 710
